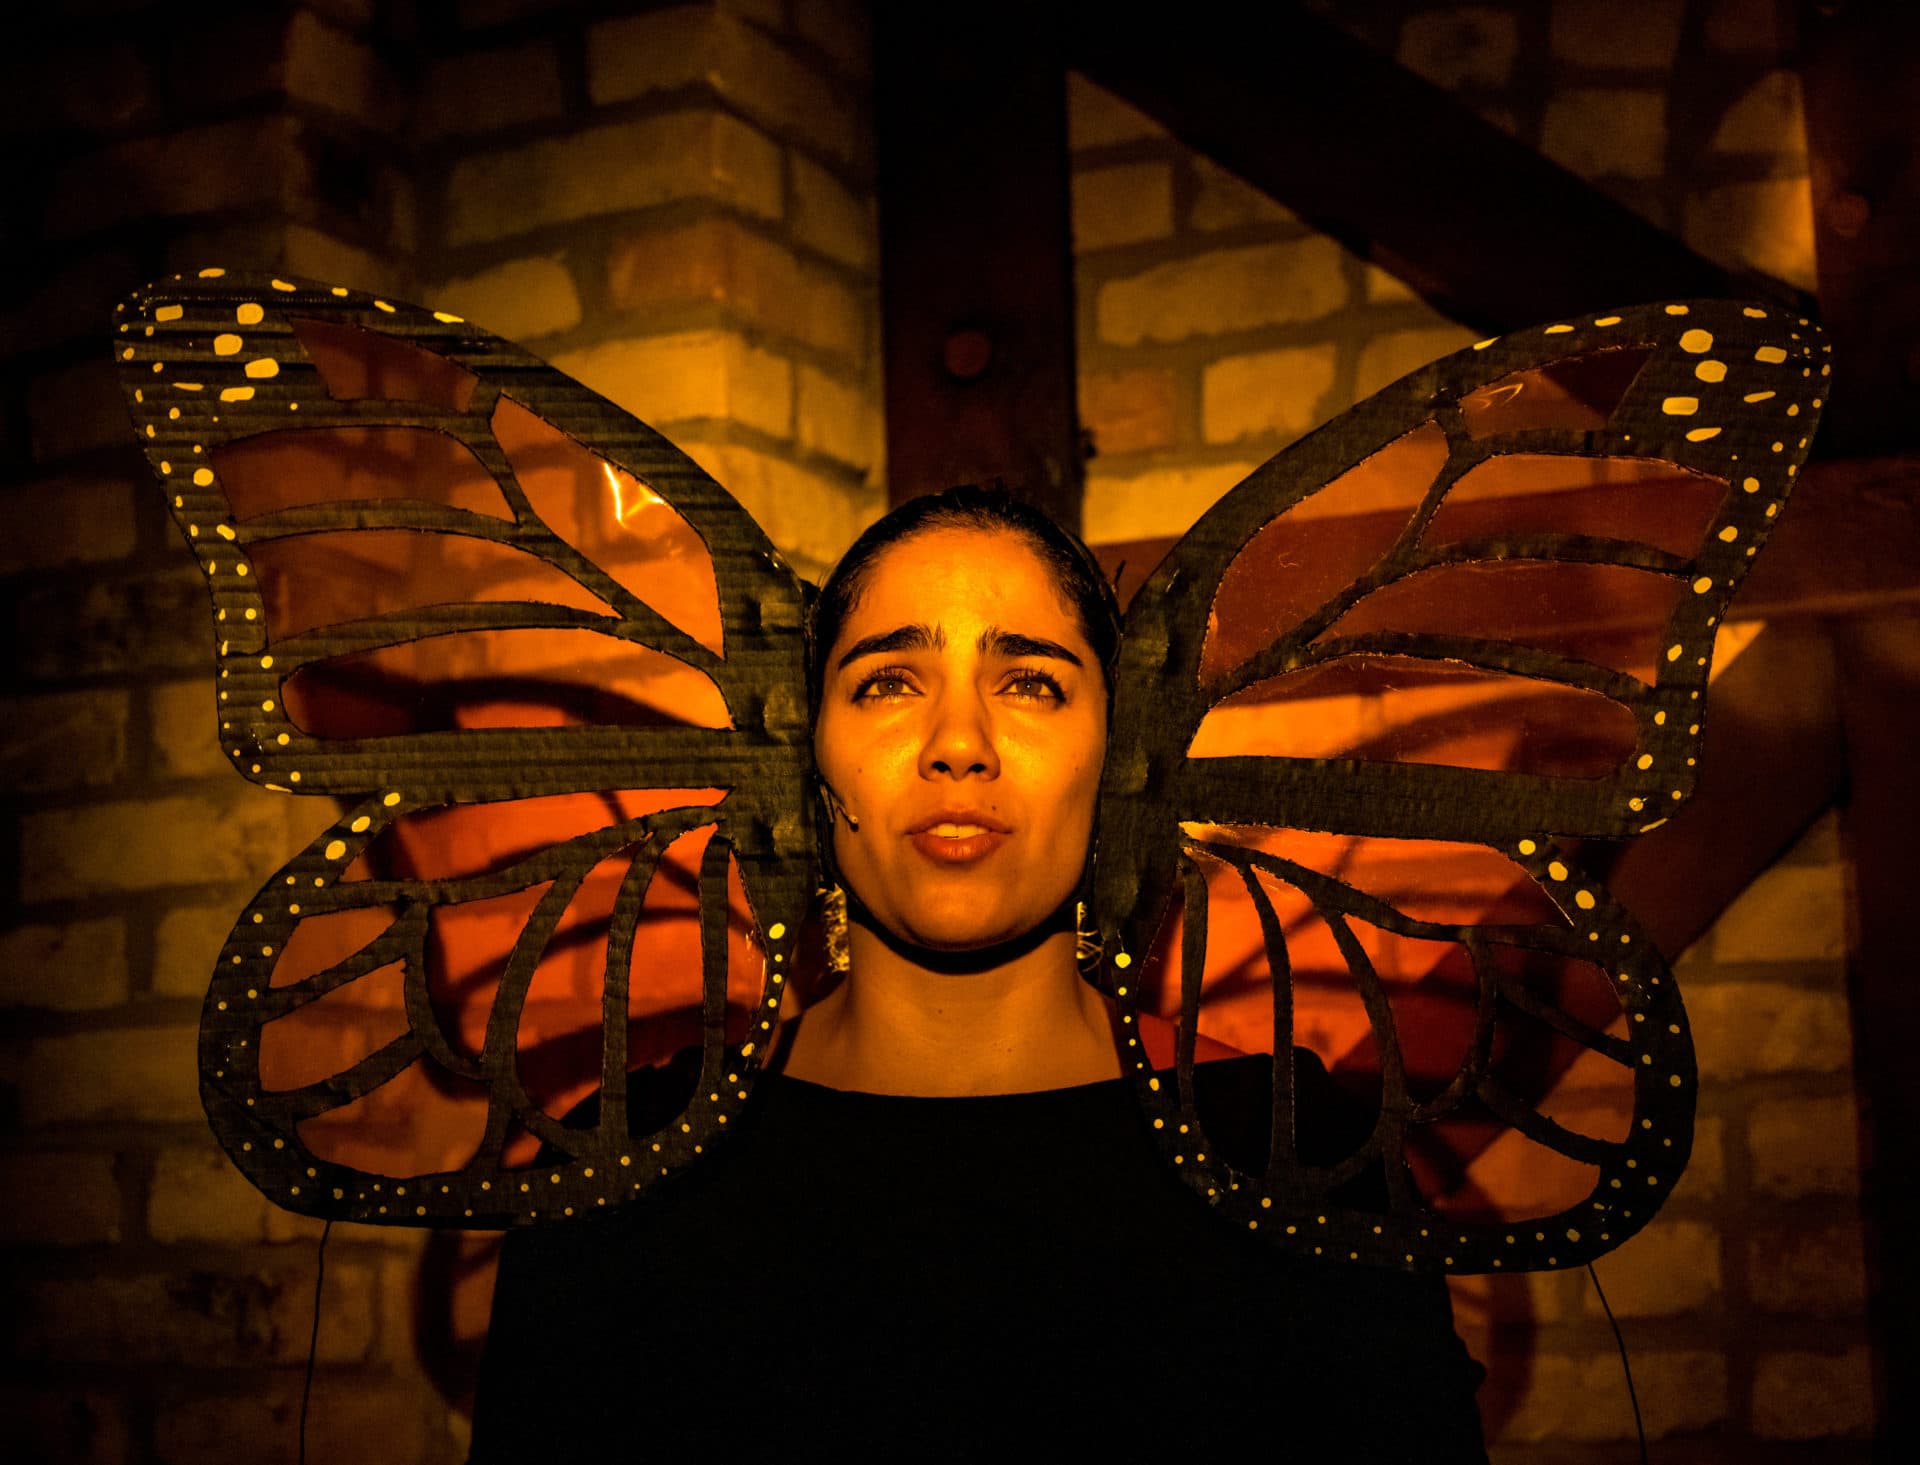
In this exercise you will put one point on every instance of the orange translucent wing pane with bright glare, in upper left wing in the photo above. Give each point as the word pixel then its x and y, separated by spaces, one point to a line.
pixel 615 519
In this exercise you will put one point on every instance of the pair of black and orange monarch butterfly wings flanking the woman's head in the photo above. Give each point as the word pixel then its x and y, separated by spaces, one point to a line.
pixel 320 446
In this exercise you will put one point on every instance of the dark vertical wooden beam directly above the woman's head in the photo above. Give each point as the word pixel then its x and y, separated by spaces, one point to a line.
pixel 976 252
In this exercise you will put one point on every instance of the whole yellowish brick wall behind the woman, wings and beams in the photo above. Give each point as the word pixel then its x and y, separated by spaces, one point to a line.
pixel 677 206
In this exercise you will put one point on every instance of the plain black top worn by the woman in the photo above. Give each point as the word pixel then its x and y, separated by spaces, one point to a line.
pixel 863 1276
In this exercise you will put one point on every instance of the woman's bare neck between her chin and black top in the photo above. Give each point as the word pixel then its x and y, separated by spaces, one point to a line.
pixel 948 1026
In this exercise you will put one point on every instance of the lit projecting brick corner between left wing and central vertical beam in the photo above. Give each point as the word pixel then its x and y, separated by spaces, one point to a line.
pixel 677 208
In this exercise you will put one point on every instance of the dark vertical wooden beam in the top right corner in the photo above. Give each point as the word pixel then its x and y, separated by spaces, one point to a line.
pixel 1863 141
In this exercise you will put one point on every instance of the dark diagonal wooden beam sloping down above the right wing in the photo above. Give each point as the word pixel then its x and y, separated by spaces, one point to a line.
pixel 1487 229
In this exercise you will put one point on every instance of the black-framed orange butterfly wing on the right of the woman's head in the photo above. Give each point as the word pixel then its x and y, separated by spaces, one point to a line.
pixel 1239 775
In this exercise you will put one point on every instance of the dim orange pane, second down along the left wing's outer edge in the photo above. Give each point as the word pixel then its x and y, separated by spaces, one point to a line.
pixel 302 468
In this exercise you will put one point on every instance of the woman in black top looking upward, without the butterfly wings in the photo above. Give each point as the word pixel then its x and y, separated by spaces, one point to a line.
pixel 948 1236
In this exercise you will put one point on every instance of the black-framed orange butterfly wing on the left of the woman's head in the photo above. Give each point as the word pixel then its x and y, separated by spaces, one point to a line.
pixel 556 679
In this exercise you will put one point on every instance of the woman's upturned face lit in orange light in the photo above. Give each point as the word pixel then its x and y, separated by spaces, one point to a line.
pixel 963 725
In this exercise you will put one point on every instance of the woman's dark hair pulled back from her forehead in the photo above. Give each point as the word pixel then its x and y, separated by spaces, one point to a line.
pixel 969 508
